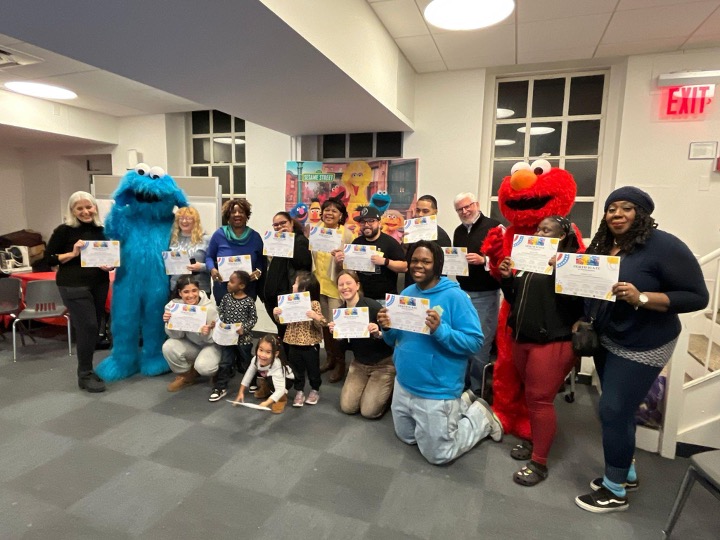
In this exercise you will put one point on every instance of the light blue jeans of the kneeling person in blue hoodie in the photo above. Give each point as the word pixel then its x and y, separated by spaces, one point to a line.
pixel 443 429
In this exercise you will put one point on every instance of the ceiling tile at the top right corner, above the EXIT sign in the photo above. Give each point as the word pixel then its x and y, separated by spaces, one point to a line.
pixel 657 23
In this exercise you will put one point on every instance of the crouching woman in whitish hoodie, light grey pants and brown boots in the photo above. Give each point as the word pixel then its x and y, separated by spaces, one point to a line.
pixel 190 354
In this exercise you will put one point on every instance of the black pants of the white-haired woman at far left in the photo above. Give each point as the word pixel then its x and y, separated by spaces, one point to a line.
pixel 86 306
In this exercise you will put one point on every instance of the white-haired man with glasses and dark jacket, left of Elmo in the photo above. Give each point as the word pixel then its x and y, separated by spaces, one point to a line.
pixel 480 286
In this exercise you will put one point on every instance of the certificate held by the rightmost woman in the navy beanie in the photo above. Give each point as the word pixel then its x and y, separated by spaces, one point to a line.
pixel 591 276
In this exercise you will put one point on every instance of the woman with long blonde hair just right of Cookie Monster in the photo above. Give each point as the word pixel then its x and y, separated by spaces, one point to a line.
pixel 188 235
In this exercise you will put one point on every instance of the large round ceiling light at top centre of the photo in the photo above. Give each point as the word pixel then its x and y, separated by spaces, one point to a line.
pixel 467 14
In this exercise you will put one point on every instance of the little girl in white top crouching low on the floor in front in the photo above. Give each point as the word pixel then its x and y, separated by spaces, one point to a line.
pixel 273 375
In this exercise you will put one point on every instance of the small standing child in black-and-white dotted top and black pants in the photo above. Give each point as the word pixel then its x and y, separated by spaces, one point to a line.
pixel 235 307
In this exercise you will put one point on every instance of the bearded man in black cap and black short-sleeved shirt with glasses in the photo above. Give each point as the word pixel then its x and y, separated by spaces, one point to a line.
pixel 387 265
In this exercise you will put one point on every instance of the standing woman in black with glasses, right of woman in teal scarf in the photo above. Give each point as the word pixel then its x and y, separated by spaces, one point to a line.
pixel 280 271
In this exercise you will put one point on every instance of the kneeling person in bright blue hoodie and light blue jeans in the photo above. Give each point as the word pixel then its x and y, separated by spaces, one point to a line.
pixel 429 407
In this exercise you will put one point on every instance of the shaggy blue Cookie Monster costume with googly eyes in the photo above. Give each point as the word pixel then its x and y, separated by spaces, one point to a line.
pixel 141 219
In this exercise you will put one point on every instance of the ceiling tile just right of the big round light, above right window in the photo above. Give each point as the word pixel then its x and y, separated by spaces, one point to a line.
pixel 559 34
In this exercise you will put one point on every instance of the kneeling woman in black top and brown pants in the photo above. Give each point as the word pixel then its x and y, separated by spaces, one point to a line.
pixel 369 381
